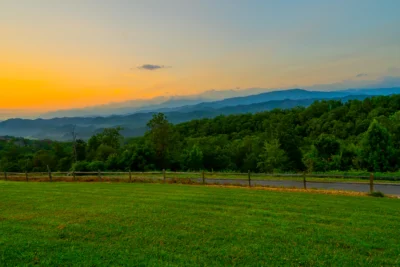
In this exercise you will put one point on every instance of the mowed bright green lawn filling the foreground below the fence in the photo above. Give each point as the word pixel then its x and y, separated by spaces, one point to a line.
pixel 118 224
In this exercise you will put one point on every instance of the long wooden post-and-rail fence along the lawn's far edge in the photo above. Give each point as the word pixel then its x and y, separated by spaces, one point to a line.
pixel 298 180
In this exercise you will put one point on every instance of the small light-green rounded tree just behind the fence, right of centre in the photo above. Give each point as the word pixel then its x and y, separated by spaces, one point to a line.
pixel 273 157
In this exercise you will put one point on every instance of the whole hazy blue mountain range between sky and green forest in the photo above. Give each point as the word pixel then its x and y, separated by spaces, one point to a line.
pixel 134 123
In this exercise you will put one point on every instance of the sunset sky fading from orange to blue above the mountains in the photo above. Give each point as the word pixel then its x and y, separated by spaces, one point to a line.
pixel 77 53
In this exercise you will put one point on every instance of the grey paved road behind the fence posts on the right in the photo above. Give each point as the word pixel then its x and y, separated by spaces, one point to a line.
pixel 392 189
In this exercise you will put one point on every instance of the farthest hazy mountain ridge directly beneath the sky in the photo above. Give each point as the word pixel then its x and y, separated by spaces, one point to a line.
pixel 215 98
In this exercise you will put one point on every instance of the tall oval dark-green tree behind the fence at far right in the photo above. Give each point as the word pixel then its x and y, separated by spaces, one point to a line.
pixel 377 148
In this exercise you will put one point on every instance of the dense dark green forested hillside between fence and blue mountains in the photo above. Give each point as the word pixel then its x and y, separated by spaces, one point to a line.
pixel 327 135
